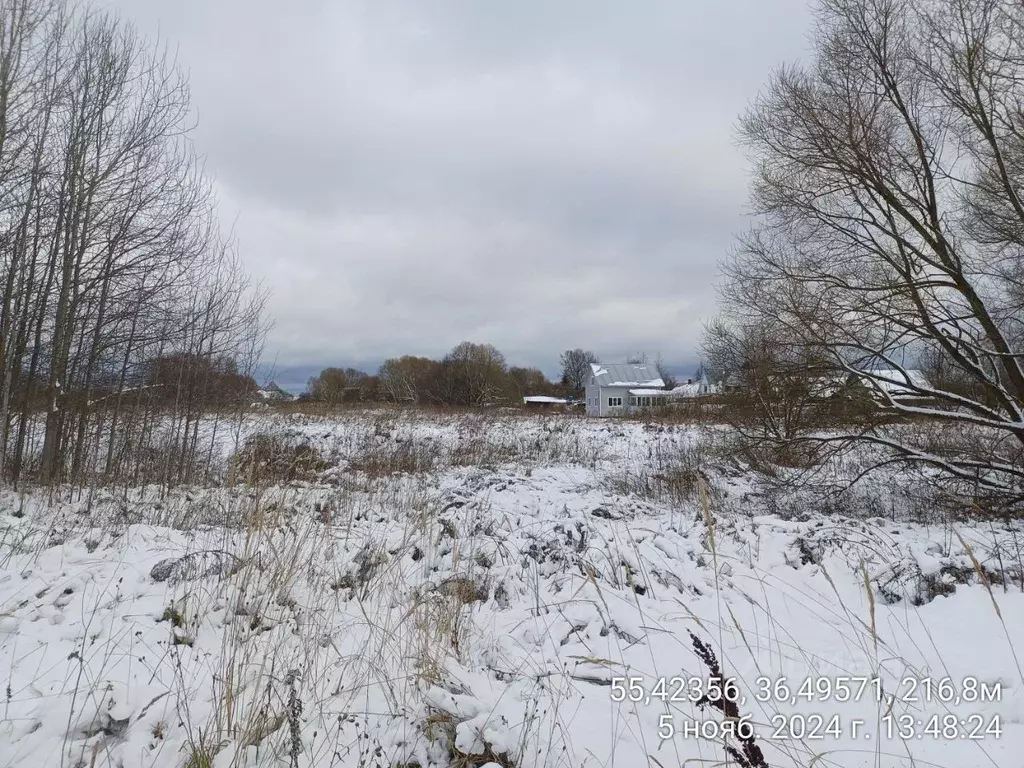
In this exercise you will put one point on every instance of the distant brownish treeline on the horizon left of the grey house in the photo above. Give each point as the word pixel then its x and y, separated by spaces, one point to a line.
pixel 474 375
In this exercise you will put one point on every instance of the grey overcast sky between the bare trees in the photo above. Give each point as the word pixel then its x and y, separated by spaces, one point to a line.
pixel 408 175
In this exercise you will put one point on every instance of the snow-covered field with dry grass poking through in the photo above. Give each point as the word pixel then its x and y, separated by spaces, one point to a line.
pixel 491 604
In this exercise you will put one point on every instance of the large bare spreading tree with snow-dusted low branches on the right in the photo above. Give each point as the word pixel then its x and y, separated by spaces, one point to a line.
pixel 888 178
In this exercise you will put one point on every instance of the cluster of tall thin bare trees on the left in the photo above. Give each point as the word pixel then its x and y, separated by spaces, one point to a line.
pixel 118 295
